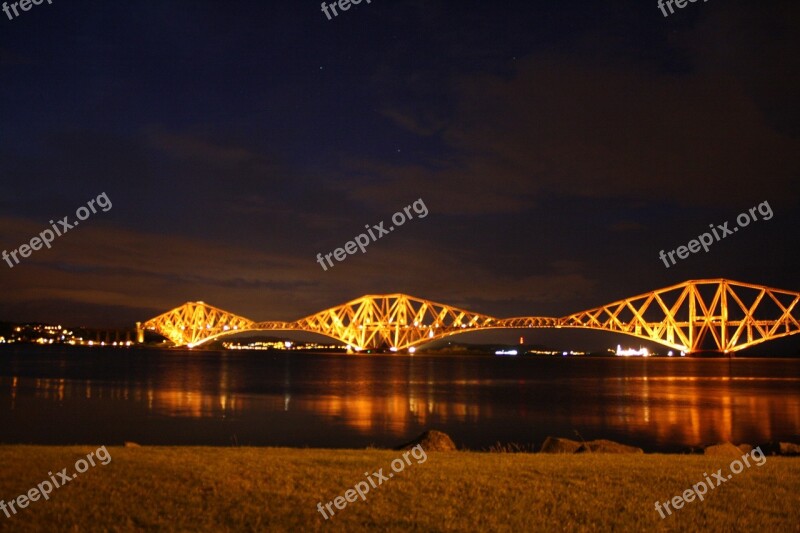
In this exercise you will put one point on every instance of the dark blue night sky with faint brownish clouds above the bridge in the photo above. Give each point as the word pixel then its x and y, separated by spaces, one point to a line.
pixel 557 146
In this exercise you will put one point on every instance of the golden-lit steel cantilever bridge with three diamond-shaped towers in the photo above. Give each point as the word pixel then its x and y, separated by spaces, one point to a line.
pixel 697 315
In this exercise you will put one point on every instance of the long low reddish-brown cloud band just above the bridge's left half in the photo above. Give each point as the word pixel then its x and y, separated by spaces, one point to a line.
pixel 142 274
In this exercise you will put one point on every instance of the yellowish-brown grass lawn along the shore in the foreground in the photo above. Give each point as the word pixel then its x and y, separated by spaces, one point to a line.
pixel 277 489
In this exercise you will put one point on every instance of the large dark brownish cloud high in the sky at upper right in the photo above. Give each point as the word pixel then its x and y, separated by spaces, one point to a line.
pixel 571 127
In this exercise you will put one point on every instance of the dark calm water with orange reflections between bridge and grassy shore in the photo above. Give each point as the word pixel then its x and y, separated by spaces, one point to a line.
pixel 107 396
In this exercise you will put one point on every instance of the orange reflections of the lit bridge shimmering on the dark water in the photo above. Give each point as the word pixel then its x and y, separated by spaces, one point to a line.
pixel 394 397
